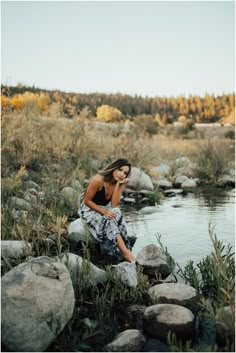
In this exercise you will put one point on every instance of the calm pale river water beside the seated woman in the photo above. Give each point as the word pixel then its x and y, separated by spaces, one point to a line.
pixel 183 223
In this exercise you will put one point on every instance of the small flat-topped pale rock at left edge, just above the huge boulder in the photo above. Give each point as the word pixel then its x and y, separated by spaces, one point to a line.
pixel 14 249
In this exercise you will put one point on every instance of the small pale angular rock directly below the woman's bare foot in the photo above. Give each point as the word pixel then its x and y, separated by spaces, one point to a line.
pixel 126 272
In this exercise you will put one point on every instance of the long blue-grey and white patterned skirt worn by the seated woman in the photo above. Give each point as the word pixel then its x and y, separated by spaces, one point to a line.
pixel 105 230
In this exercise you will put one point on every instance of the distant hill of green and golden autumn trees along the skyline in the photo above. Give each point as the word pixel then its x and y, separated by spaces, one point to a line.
pixel 205 109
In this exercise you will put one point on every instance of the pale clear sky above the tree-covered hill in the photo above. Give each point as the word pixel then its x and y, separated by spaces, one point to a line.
pixel 147 48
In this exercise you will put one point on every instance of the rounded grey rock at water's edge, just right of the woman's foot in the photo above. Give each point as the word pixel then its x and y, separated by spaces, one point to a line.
pixel 153 261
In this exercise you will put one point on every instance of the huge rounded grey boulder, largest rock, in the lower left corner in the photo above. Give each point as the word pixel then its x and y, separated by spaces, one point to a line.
pixel 37 303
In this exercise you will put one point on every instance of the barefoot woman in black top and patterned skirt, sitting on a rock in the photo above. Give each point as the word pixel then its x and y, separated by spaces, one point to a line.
pixel 100 212
